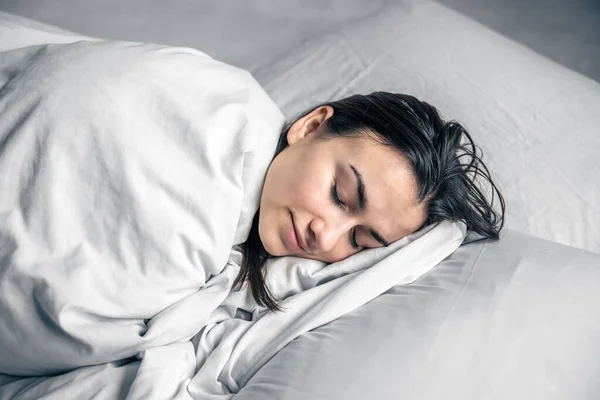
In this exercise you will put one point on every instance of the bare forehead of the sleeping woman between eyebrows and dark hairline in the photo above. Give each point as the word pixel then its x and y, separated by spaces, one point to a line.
pixel 393 208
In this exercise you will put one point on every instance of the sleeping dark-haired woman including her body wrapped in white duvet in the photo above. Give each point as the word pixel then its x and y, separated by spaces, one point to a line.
pixel 131 176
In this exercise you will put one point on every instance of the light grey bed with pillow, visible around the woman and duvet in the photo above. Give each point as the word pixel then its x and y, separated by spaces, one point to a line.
pixel 516 318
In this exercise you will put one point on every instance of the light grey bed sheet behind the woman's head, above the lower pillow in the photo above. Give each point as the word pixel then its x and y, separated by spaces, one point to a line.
pixel 535 120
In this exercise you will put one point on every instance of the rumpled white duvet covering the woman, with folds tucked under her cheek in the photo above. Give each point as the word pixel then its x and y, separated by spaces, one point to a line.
pixel 128 175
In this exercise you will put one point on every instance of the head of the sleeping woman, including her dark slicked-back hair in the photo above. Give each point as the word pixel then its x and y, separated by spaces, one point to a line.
pixel 363 172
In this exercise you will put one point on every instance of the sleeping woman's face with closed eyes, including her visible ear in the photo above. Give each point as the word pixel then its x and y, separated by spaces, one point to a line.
pixel 327 199
